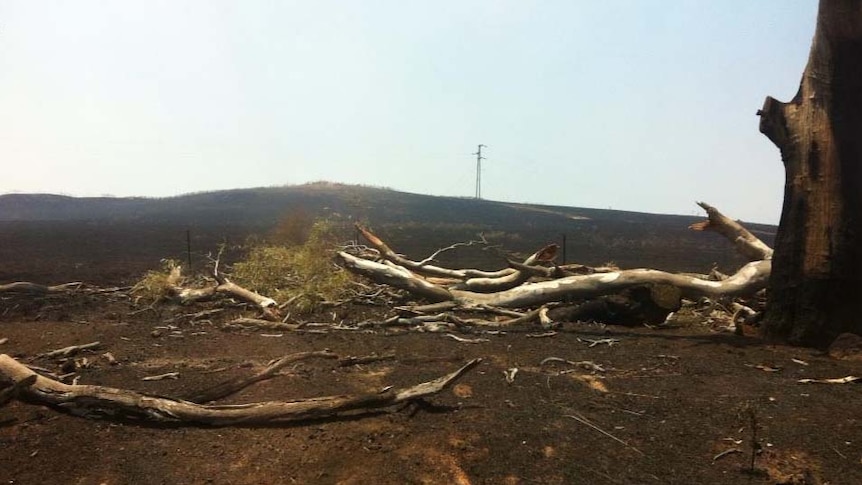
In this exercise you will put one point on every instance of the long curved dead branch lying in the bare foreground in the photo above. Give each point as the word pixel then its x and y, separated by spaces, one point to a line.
pixel 104 402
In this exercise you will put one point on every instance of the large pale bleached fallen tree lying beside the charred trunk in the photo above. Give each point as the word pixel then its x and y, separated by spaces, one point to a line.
pixel 538 285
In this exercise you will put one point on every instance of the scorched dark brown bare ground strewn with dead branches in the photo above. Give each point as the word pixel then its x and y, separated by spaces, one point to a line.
pixel 669 401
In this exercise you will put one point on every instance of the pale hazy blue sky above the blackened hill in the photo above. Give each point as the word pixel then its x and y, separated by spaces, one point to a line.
pixel 641 105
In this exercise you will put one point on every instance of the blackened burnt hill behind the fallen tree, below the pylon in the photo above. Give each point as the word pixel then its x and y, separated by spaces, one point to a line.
pixel 74 234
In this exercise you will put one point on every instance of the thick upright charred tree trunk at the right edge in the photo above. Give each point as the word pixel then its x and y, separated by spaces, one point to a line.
pixel 816 281
